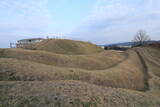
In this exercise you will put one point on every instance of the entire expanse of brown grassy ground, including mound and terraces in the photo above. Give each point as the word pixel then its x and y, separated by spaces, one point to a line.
pixel 67 78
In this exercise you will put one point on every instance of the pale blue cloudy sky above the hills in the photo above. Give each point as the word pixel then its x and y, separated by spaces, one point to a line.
pixel 98 21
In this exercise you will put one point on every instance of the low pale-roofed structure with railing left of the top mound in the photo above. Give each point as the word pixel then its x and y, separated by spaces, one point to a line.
pixel 24 43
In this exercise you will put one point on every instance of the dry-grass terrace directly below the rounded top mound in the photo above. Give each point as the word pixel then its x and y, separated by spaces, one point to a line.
pixel 97 61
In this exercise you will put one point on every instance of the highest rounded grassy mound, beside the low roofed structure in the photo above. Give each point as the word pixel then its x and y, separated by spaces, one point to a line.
pixel 62 46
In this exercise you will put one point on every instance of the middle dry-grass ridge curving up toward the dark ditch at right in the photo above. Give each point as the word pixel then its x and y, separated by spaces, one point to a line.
pixel 121 76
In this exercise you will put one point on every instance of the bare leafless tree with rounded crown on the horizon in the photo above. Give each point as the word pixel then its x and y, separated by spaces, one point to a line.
pixel 141 38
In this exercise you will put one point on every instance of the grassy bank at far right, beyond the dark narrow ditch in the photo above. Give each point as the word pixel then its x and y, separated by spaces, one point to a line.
pixel 151 56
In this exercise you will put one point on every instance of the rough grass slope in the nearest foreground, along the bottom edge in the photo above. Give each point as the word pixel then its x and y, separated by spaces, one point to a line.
pixel 71 94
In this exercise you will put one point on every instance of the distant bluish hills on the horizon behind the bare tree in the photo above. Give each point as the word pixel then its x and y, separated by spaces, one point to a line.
pixel 128 43
